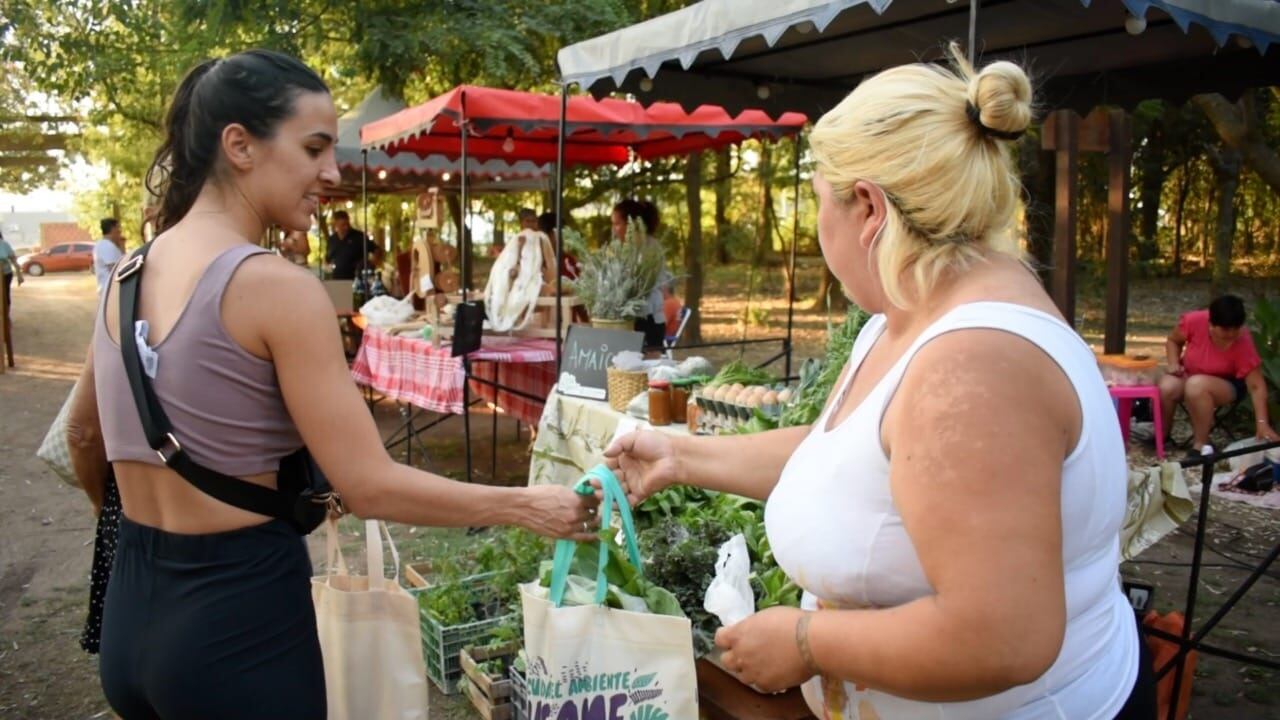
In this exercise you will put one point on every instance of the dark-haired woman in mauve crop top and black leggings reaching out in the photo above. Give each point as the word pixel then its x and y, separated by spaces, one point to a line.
pixel 208 612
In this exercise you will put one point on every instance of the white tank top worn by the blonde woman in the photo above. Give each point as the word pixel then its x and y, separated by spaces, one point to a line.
pixel 835 528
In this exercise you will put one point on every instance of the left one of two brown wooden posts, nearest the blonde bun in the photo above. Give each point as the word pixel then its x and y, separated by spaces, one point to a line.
pixel 1066 168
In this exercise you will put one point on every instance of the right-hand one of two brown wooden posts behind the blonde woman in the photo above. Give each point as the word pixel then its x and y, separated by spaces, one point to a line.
pixel 1118 233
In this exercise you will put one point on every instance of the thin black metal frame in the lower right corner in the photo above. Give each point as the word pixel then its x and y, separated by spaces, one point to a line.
pixel 1190 640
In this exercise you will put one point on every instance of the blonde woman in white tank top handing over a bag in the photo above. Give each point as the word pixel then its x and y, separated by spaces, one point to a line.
pixel 954 514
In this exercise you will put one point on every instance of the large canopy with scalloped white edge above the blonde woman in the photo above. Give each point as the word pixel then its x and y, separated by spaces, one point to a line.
pixel 806 56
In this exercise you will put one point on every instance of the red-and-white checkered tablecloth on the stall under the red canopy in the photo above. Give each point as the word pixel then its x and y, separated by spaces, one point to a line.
pixel 415 372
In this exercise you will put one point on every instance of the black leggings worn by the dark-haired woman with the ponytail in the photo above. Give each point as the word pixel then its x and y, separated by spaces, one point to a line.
pixel 212 627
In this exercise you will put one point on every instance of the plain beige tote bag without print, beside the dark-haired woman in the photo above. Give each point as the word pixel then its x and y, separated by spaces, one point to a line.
pixel 369 636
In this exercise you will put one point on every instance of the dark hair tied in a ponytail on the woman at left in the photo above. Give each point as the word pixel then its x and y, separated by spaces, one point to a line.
pixel 255 89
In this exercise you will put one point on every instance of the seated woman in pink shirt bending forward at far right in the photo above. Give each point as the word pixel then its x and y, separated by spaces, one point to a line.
pixel 1213 363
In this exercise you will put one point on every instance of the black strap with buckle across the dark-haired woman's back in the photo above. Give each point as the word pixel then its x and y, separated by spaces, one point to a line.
pixel 159 430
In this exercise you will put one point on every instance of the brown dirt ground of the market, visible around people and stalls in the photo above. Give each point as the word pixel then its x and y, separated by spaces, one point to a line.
pixel 47 530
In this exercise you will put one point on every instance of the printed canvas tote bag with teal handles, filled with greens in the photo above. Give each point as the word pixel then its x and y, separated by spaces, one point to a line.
pixel 595 662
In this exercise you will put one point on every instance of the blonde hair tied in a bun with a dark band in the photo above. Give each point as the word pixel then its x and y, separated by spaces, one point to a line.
pixel 934 140
